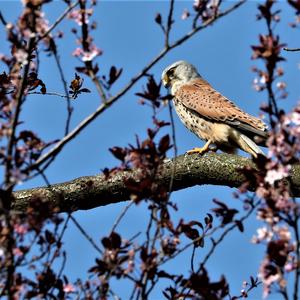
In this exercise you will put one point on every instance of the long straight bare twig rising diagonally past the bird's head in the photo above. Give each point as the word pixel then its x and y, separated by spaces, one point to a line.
pixel 55 150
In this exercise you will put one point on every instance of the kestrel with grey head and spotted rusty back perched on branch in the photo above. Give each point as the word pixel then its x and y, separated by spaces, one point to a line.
pixel 210 115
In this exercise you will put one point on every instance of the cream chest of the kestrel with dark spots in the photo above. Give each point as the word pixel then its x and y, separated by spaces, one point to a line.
pixel 197 125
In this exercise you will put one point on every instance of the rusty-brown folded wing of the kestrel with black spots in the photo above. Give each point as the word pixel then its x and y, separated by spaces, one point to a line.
pixel 201 98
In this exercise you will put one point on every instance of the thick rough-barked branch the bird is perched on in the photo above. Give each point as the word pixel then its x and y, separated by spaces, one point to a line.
pixel 93 191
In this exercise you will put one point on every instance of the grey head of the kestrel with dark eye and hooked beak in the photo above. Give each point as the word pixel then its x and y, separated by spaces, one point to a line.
pixel 178 72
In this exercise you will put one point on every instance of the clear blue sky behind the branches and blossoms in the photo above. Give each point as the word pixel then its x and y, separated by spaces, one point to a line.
pixel 129 38
